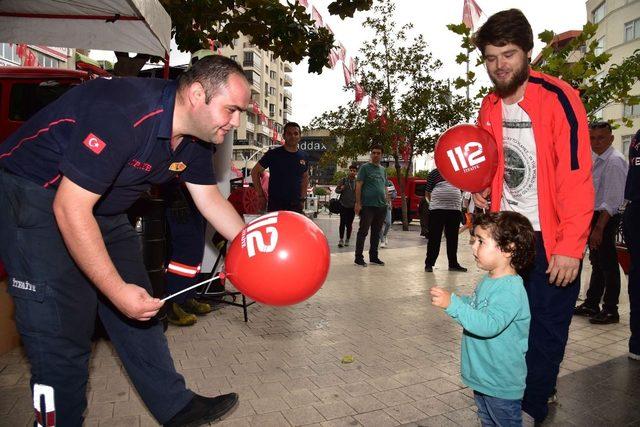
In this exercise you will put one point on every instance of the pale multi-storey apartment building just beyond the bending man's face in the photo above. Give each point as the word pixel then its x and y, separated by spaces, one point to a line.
pixel 271 96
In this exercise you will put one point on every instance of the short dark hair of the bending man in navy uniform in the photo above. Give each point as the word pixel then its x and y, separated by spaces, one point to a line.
pixel 212 72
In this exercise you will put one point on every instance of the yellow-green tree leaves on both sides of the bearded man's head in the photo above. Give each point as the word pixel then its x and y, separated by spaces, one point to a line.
pixel 578 63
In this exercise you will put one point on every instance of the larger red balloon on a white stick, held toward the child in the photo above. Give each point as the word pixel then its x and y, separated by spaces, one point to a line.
pixel 280 258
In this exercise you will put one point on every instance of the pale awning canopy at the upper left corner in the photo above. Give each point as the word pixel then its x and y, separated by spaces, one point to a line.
pixel 140 26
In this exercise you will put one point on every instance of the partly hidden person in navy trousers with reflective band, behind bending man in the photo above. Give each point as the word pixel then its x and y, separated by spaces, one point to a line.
pixel 186 248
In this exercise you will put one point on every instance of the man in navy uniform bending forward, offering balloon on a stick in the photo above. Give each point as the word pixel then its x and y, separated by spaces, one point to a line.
pixel 67 176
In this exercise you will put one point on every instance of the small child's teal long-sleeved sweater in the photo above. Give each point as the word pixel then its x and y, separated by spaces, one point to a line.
pixel 495 338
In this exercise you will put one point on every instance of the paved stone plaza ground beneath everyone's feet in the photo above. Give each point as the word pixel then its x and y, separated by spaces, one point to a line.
pixel 285 363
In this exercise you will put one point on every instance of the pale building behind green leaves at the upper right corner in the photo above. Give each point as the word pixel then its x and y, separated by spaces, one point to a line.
pixel 619 35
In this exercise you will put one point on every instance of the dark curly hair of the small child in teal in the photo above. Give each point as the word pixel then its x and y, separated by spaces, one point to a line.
pixel 513 234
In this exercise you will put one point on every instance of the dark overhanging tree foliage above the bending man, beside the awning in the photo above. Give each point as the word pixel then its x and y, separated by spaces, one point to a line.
pixel 287 30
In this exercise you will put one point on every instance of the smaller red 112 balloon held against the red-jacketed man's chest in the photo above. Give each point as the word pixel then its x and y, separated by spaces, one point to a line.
pixel 467 157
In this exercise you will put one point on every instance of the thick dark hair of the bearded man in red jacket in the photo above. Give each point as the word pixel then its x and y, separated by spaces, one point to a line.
pixel 502 28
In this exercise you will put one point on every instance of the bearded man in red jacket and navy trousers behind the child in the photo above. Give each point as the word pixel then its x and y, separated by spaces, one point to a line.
pixel 544 172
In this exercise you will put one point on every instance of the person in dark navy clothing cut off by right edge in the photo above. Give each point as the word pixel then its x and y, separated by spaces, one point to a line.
pixel 631 223
